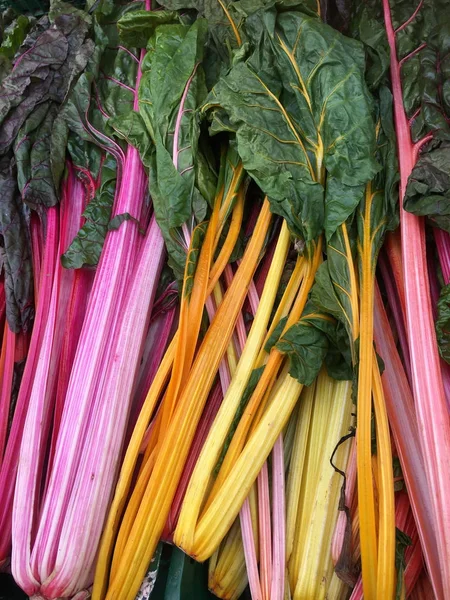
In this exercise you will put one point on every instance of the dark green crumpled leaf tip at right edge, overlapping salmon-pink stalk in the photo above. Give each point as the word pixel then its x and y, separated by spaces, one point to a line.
pixel 428 189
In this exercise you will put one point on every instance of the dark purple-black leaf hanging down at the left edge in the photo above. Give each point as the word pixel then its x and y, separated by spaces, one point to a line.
pixel 15 251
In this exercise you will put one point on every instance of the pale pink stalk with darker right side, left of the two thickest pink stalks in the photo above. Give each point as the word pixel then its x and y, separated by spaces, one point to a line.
pixel 41 404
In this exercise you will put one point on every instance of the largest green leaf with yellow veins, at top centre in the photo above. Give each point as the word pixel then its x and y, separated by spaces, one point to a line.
pixel 289 106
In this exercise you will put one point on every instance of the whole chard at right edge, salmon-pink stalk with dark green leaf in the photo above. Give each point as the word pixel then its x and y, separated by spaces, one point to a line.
pixel 418 38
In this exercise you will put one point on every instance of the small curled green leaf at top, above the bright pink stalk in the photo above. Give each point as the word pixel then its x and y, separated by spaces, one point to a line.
pixel 135 28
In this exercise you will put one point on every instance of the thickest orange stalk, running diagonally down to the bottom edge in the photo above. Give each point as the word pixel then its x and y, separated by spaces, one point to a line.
pixel 154 509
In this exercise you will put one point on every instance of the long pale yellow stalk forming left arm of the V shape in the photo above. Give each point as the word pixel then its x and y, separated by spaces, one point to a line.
pixel 201 476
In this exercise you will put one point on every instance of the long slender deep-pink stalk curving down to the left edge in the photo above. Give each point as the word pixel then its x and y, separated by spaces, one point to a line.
pixel 11 457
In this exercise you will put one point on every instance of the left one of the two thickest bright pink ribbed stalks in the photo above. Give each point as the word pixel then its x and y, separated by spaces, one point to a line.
pixel 95 350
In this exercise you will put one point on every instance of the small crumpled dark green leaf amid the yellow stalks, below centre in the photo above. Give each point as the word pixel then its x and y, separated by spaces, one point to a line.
pixel 306 343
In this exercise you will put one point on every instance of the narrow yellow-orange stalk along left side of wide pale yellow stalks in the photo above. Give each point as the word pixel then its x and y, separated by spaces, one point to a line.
pixel 297 465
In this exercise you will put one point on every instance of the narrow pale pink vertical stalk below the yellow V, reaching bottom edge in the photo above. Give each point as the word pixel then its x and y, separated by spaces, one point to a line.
pixel 279 522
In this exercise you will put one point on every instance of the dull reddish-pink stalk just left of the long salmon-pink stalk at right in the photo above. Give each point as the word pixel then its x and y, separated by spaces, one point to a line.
pixel 405 430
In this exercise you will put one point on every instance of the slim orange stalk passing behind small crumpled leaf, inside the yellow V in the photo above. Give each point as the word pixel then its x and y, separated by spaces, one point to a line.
pixel 268 376
